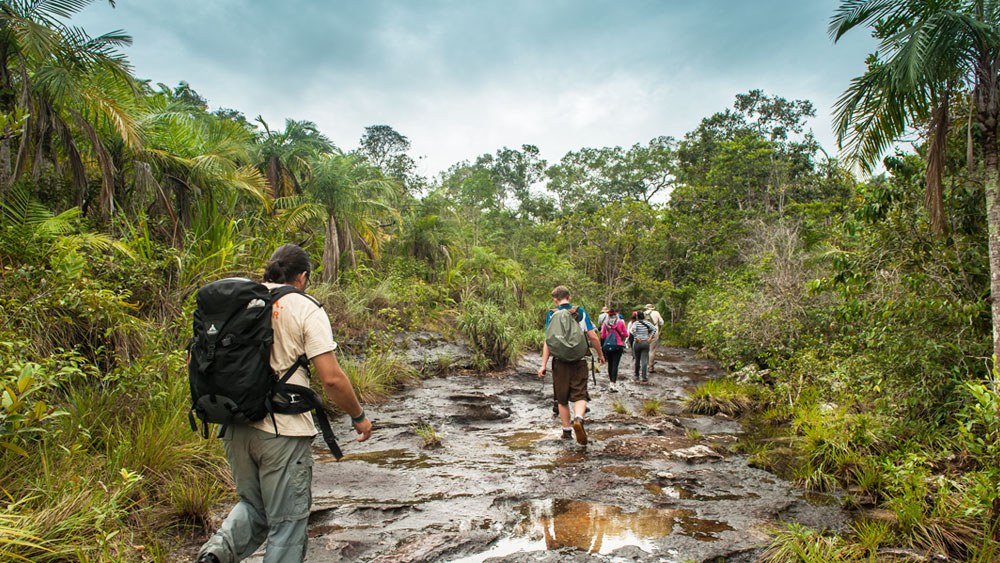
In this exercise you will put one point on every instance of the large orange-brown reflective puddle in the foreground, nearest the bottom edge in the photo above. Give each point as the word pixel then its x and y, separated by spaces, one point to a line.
pixel 595 528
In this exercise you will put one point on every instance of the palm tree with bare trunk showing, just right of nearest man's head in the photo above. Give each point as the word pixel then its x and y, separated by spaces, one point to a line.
pixel 354 200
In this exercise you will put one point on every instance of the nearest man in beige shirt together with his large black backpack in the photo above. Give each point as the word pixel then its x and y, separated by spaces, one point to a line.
pixel 269 450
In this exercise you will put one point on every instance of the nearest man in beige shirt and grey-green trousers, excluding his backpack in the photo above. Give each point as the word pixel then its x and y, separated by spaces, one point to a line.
pixel 271 459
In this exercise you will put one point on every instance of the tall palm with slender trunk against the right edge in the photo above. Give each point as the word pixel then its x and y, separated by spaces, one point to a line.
pixel 927 45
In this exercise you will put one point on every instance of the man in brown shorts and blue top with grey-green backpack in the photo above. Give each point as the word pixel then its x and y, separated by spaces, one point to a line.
pixel 568 331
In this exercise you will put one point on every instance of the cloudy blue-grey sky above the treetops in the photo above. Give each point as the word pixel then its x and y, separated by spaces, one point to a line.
pixel 463 78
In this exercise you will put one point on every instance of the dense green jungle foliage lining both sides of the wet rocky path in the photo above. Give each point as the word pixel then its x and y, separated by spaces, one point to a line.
pixel 859 330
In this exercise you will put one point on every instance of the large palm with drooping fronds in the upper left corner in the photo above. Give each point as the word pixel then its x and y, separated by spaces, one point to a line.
pixel 72 86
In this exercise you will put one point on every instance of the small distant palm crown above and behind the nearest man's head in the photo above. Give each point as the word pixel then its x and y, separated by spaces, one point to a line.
pixel 285 157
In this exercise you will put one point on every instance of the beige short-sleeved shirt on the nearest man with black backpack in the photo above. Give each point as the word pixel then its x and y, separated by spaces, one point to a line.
pixel 300 327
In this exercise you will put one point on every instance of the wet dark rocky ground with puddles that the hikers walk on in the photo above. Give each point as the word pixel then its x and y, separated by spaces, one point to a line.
pixel 504 486
